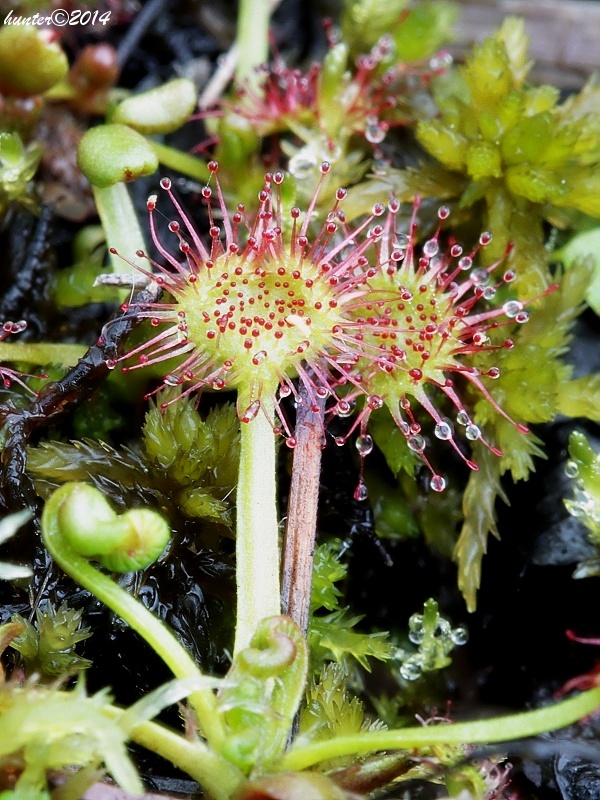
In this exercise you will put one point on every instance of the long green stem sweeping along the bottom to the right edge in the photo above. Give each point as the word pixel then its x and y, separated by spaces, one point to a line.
pixel 498 729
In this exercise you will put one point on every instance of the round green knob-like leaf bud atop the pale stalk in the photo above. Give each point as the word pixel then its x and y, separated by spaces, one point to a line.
pixel 109 154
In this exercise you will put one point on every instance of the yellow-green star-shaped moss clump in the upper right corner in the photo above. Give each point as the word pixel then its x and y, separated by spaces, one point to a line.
pixel 521 155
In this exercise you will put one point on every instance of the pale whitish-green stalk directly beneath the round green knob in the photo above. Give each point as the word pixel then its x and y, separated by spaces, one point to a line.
pixel 121 226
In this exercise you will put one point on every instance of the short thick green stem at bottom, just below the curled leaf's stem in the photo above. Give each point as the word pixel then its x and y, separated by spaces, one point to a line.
pixel 216 775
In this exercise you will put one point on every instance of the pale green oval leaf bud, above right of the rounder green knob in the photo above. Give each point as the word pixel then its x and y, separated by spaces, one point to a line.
pixel 158 111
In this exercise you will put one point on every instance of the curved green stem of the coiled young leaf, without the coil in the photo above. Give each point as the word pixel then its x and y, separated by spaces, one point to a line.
pixel 157 635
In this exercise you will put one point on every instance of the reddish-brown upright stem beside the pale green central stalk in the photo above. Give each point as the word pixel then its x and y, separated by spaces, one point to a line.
pixel 301 527
